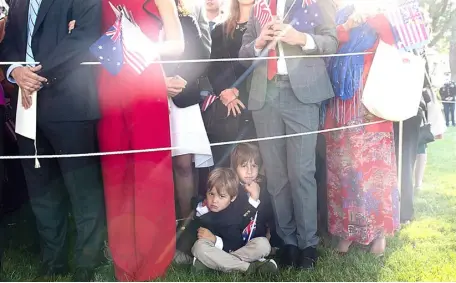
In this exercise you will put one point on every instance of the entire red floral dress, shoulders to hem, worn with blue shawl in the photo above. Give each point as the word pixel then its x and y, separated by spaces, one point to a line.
pixel 363 197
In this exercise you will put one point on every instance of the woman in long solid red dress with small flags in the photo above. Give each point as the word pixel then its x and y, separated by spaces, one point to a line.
pixel 135 115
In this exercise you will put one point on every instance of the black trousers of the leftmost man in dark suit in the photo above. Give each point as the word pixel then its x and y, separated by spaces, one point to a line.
pixel 59 180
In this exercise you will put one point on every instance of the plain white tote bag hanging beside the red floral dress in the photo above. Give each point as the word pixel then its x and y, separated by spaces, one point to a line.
pixel 394 84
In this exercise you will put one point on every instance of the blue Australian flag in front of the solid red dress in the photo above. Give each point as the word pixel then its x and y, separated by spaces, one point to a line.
pixel 108 49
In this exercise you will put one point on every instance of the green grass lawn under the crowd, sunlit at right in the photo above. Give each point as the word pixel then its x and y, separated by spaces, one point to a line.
pixel 423 251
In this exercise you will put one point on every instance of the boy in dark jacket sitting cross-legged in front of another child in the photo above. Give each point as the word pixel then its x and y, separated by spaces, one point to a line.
pixel 218 230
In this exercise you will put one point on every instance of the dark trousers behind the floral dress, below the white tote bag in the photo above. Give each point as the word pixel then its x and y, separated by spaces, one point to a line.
pixel 411 128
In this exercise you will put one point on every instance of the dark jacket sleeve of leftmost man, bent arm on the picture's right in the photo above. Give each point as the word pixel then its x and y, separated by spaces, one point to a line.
pixel 74 48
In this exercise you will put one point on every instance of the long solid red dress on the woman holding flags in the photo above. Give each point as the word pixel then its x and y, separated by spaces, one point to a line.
pixel 138 187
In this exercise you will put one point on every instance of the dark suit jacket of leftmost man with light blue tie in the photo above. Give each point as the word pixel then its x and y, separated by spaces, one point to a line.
pixel 71 92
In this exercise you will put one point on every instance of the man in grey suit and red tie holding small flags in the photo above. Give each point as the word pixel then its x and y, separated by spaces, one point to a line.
pixel 285 97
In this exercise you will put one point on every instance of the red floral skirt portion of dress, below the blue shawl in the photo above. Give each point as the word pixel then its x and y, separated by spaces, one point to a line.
pixel 363 196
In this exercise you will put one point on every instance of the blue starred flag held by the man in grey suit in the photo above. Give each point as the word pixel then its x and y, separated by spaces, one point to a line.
pixel 305 15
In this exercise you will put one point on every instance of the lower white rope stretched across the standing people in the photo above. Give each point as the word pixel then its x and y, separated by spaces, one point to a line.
pixel 173 148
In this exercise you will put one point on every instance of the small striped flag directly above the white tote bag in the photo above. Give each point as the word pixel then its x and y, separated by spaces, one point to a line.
pixel 408 26
